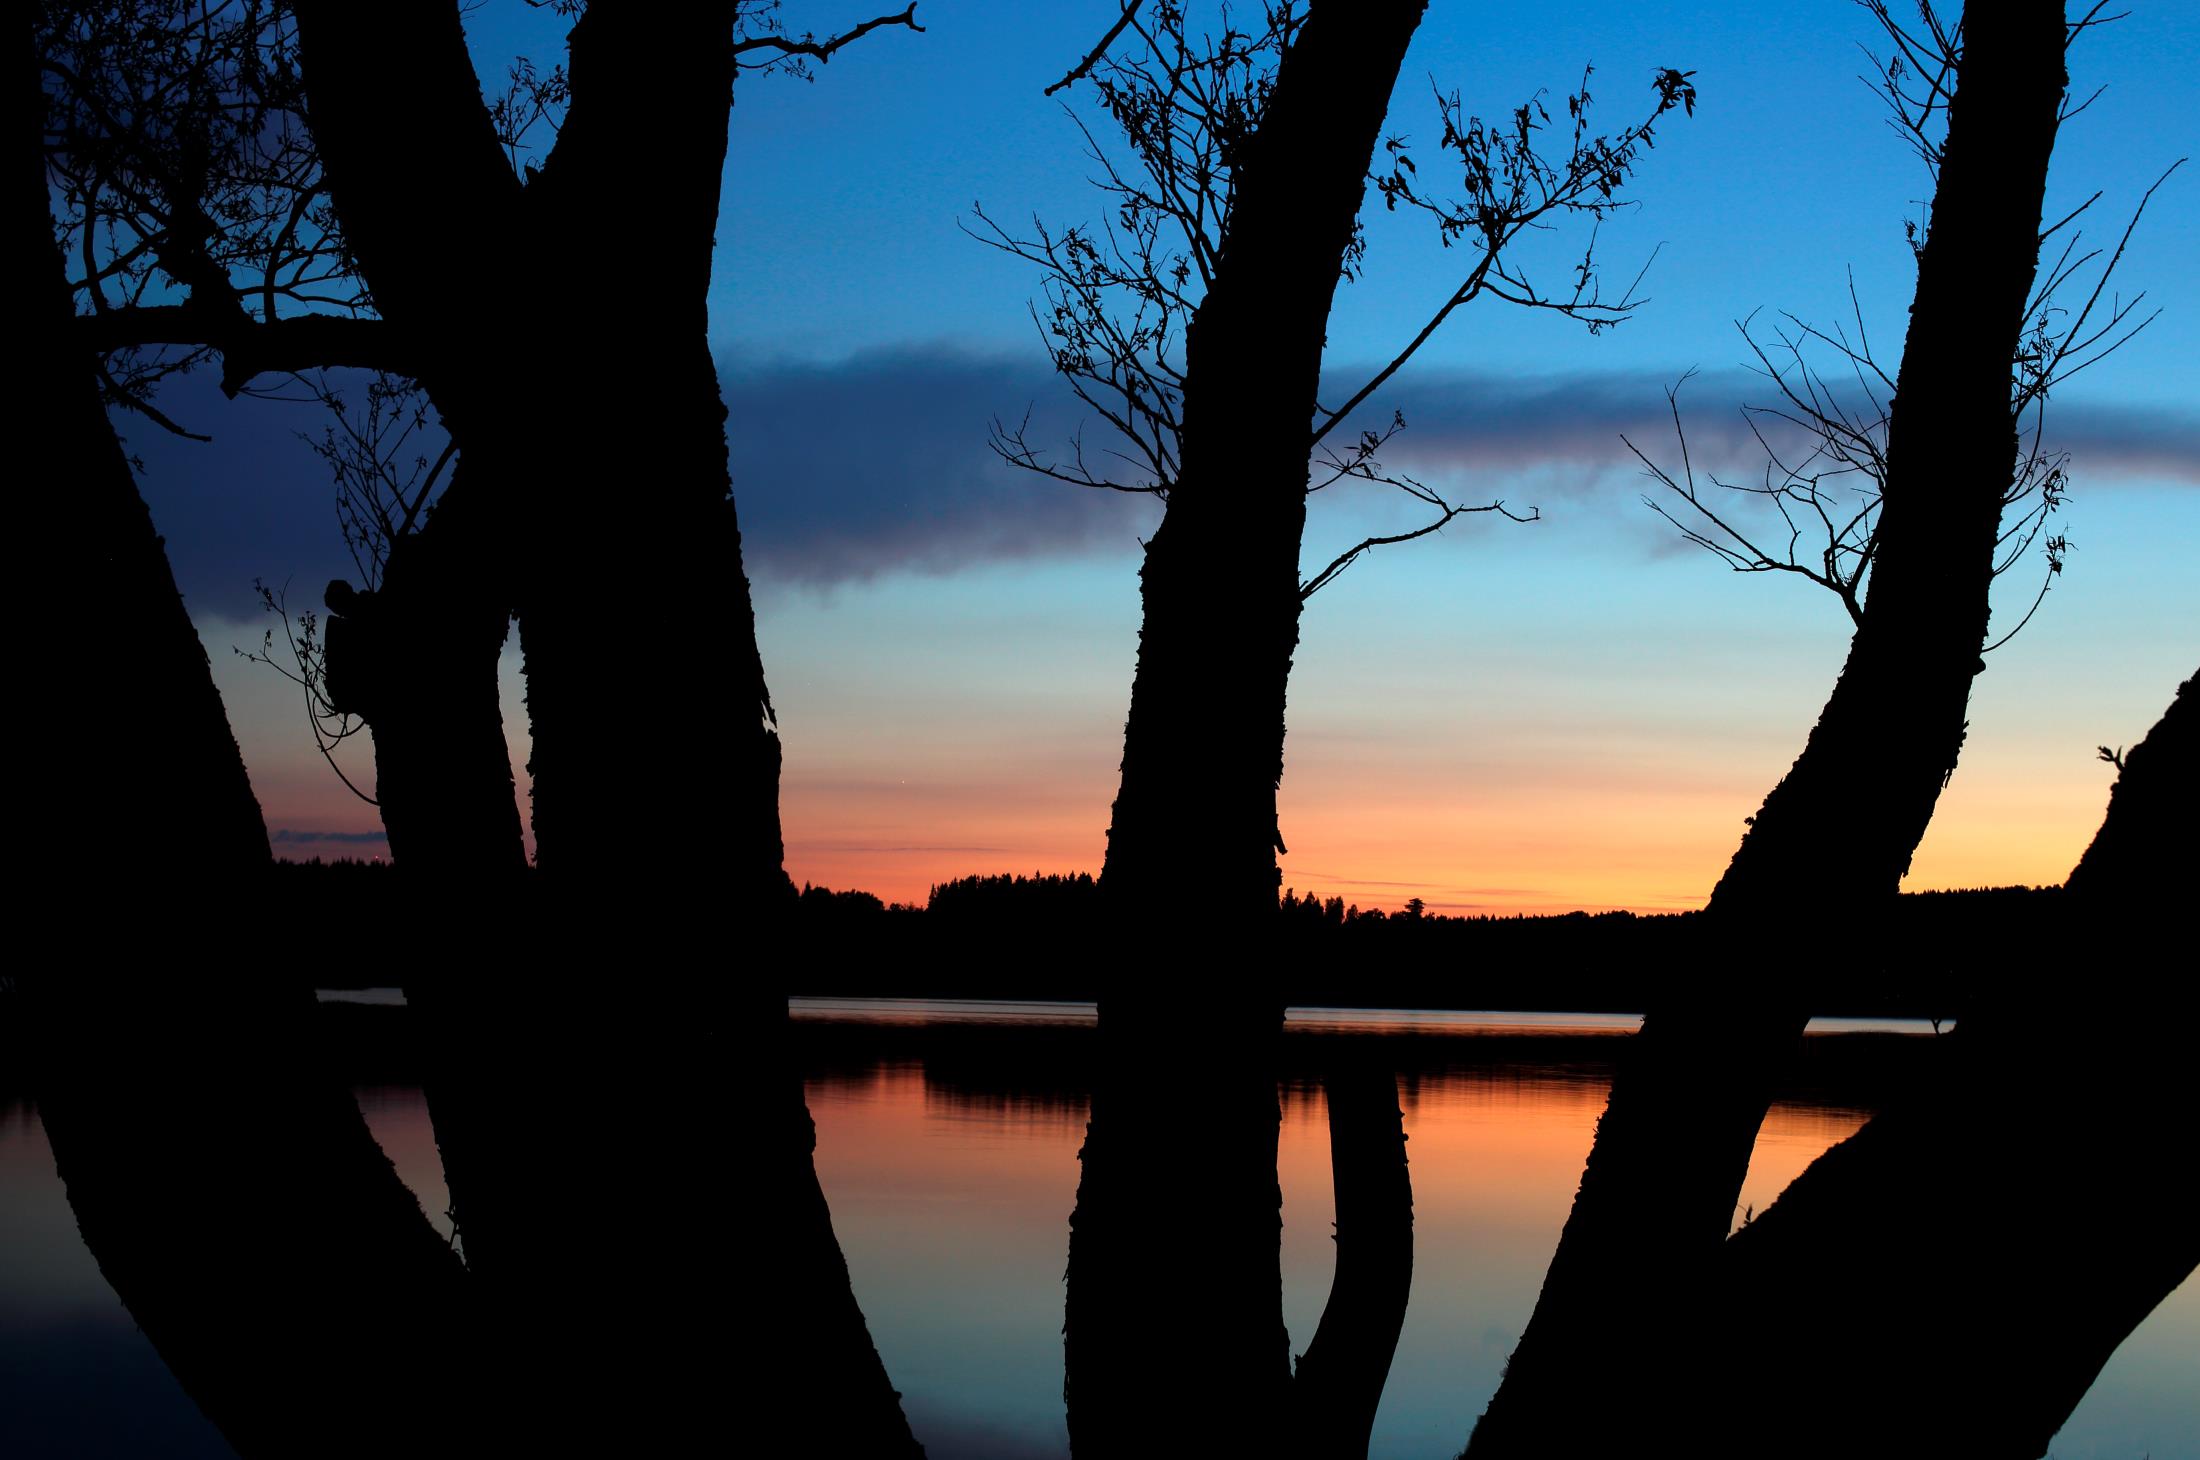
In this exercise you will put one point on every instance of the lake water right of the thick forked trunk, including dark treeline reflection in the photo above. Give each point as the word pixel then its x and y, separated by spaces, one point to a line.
pixel 949 1155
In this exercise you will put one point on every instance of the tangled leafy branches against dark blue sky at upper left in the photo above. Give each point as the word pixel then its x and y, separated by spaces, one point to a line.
pixel 190 192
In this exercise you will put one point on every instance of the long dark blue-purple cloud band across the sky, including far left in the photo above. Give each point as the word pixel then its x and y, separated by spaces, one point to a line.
pixel 879 463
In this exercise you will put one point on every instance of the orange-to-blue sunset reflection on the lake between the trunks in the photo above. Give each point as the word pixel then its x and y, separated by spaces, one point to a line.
pixel 954 1213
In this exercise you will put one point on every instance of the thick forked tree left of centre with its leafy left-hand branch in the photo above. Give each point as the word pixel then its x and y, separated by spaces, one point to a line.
pixel 591 483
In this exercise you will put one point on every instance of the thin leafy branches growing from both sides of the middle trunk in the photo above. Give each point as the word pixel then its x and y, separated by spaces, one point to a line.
pixel 1121 296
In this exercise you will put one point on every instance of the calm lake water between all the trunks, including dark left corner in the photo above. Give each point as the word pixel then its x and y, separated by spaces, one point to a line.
pixel 947 1147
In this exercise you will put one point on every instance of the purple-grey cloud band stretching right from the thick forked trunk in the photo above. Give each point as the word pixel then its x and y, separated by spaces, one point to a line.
pixel 879 463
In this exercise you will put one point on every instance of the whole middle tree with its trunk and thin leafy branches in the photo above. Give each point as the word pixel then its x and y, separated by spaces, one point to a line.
pixel 1196 324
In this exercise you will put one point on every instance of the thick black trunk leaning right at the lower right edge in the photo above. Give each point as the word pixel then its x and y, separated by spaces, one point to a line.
pixel 1977 1254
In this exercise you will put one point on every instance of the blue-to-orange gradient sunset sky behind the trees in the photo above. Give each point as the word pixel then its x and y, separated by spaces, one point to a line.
pixel 1508 718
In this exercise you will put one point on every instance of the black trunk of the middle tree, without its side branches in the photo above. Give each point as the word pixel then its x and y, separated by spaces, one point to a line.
pixel 1176 1294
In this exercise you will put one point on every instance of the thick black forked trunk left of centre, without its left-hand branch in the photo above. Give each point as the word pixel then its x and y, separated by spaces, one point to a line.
pixel 606 472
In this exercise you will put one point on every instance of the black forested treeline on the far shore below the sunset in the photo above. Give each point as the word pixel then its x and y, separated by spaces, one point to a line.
pixel 1020 938
